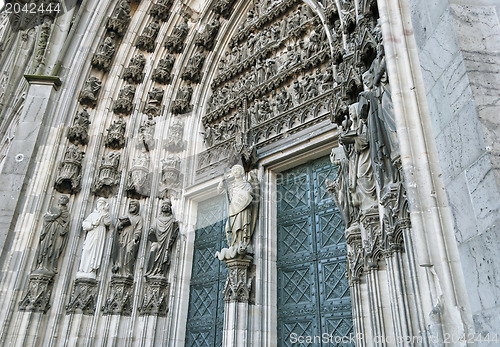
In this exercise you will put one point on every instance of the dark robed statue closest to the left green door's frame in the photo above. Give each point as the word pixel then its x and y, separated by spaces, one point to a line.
pixel 162 236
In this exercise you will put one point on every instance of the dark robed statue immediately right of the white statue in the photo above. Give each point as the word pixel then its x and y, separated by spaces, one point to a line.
pixel 128 235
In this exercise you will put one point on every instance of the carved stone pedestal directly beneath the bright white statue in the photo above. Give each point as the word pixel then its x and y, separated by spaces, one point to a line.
pixel 84 296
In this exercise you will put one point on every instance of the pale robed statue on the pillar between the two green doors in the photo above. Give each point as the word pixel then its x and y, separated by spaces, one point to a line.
pixel 242 196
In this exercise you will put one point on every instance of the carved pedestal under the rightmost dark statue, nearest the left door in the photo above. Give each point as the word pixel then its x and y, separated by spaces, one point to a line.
pixel 155 301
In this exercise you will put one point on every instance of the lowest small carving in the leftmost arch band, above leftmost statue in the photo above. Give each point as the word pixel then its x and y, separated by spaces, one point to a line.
pixel 69 176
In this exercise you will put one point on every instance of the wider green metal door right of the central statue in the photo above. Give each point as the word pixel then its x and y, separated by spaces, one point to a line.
pixel 313 293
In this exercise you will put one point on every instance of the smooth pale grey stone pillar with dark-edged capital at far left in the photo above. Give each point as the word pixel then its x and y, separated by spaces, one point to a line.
pixel 22 152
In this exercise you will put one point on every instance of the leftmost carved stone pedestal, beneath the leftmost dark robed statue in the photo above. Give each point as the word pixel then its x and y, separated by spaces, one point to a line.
pixel 37 295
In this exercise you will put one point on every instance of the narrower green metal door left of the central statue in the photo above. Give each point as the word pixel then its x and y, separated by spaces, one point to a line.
pixel 206 303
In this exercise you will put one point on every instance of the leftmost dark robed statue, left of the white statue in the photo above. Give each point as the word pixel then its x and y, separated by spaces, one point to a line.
pixel 53 236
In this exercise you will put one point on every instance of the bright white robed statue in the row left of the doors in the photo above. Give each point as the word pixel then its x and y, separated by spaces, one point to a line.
pixel 93 247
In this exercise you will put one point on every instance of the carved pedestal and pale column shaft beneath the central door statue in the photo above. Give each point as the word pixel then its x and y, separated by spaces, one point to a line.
pixel 237 297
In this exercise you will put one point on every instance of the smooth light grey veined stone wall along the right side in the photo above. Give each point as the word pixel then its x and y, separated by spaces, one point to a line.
pixel 459 45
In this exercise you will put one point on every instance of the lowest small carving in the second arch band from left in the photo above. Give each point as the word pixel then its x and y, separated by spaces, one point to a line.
pixel 108 175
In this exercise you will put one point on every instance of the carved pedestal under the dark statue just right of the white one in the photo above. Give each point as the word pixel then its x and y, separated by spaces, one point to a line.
pixel 120 297
